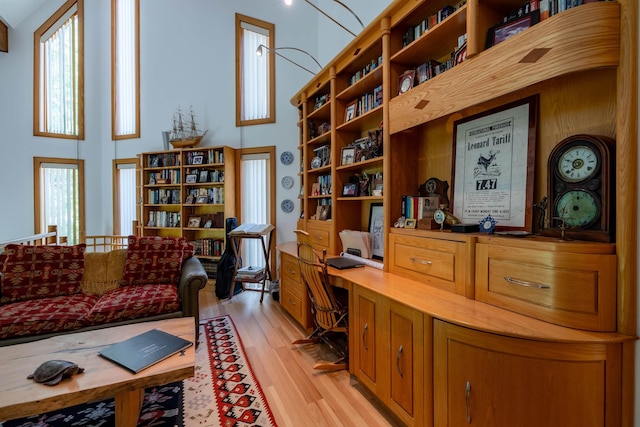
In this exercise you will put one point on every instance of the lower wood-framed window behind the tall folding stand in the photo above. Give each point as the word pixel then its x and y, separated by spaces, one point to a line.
pixel 257 169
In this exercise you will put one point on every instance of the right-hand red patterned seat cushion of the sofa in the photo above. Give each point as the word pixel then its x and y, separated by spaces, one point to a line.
pixel 134 302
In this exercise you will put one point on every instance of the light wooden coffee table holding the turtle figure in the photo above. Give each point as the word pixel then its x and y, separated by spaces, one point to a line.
pixel 102 379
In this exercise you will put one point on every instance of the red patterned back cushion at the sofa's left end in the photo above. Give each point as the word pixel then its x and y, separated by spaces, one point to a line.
pixel 31 272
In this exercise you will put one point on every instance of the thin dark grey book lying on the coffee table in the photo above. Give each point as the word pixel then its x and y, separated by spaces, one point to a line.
pixel 139 352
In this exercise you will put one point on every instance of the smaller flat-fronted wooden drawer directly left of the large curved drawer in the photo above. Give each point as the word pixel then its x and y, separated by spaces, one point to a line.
pixel 438 262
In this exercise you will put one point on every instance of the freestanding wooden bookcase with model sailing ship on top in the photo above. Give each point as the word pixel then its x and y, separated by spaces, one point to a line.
pixel 189 192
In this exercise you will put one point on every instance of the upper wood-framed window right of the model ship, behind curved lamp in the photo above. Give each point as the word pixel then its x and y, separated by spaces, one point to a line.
pixel 255 75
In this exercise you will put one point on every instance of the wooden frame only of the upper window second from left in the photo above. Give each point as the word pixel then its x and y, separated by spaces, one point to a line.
pixel 114 83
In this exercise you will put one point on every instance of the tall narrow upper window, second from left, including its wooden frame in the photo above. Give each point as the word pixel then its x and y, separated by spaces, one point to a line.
pixel 125 69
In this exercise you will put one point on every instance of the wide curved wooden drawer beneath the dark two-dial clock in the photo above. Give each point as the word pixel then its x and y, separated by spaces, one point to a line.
pixel 577 290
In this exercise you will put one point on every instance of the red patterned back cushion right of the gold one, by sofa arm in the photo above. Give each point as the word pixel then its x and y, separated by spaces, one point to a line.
pixel 153 260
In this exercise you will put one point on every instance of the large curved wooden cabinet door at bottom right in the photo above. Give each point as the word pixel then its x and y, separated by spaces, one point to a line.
pixel 488 380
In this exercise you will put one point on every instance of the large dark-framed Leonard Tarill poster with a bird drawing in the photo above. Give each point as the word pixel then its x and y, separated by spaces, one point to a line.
pixel 494 156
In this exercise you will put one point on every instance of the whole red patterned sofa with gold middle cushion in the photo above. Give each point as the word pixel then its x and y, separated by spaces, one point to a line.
pixel 49 290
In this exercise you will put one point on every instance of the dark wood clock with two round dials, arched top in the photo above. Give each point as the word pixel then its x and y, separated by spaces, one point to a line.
pixel 582 189
